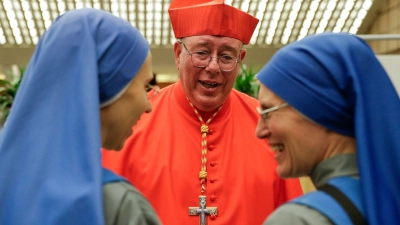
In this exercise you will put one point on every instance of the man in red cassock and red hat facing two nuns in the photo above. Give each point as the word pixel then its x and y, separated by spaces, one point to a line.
pixel 195 156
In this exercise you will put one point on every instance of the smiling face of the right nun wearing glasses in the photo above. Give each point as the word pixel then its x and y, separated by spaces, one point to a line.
pixel 298 143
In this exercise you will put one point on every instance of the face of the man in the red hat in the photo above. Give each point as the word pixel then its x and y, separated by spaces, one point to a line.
pixel 207 88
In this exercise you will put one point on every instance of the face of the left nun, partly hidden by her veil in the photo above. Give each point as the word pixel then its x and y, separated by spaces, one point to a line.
pixel 118 118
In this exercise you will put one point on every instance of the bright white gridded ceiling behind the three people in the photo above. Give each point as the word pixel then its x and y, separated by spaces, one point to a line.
pixel 281 22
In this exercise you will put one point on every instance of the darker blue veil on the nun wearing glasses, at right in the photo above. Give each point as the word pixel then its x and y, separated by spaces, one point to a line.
pixel 336 80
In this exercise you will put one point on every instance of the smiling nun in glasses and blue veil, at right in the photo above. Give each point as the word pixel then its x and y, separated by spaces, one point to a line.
pixel 331 112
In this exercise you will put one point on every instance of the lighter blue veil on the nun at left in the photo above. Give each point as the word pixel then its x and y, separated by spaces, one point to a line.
pixel 50 166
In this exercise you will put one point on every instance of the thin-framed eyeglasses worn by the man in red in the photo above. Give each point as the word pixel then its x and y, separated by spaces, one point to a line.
pixel 200 59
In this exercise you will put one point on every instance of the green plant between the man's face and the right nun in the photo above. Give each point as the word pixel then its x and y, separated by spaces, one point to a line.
pixel 246 81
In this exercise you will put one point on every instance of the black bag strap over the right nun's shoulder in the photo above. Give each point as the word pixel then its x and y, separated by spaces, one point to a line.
pixel 354 214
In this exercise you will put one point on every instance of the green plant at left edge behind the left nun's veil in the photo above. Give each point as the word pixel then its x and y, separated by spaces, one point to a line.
pixel 8 90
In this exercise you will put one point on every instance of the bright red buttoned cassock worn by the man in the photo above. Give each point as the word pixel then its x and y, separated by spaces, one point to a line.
pixel 163 160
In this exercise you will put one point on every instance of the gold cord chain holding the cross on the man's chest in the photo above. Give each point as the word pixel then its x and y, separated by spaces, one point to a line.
pixel 204 130
